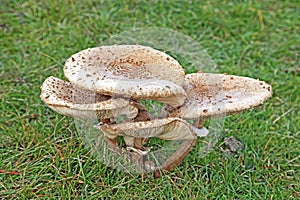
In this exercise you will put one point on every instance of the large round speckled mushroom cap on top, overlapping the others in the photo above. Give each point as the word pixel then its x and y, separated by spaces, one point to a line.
pixel 139 72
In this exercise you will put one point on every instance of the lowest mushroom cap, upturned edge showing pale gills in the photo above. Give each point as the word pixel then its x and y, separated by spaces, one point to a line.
pixel 166 129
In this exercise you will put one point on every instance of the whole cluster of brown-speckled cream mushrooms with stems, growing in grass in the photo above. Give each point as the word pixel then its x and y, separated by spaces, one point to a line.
pixel 109 82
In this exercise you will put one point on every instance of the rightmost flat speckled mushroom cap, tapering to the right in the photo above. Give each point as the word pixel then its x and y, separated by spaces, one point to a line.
pixel 220 94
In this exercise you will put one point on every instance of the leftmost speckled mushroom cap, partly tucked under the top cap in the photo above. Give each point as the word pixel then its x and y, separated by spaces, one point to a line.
pixel 65 99
